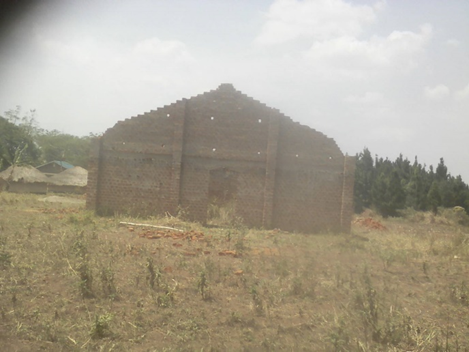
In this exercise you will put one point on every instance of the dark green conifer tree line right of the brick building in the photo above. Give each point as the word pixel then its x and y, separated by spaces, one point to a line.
pixel 389 186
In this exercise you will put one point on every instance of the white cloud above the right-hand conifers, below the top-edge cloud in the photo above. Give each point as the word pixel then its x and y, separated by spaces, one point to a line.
pixel 399 49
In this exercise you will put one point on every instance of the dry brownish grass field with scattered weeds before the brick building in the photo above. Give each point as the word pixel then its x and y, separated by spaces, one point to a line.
pixel 70 281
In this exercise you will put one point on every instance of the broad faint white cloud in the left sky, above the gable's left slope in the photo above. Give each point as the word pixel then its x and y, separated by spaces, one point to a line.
pixel 151 60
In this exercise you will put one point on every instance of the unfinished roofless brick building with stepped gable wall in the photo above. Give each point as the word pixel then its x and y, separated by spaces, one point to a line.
pixel 225 146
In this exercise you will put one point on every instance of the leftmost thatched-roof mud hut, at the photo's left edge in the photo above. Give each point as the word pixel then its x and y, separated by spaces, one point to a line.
pixel 23 179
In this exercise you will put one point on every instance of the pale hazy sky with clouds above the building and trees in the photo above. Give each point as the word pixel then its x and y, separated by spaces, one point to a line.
pixel 389 75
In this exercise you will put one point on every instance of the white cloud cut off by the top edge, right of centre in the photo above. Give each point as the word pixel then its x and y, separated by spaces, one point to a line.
pixel 317 19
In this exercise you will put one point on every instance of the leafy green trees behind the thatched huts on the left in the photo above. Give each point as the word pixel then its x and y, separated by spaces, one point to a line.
pixel 22 141
